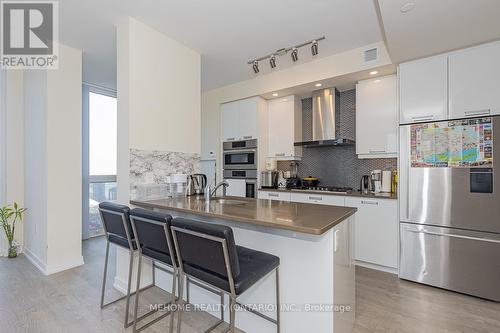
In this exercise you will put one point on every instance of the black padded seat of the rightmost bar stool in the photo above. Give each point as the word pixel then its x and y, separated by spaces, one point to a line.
pixel 254 265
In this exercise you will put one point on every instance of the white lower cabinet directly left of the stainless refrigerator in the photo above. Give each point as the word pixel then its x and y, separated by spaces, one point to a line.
pixel 375 231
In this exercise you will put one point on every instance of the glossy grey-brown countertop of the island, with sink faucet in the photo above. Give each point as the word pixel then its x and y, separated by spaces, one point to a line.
pixel 300 217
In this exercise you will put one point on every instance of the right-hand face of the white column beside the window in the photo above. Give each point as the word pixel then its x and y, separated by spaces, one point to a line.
pixel 64 161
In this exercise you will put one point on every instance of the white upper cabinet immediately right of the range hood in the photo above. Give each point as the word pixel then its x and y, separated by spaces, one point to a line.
pixel 377 117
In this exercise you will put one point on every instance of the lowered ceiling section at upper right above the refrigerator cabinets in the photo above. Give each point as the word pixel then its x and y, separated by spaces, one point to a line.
pixel 437 26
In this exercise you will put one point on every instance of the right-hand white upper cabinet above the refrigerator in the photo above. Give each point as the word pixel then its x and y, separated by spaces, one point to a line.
pixel 474 78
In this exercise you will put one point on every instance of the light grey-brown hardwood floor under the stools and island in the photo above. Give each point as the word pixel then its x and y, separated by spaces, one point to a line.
pixel 69 302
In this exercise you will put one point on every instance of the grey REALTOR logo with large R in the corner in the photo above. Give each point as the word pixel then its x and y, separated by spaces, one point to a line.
pixel 30 35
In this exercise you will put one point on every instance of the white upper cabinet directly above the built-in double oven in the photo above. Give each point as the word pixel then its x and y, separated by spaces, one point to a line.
pixel 240 119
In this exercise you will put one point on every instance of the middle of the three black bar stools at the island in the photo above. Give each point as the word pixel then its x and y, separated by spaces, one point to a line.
pixel 152 233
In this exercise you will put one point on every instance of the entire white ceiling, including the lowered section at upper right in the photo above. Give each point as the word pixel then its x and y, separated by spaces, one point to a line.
pixel 227 34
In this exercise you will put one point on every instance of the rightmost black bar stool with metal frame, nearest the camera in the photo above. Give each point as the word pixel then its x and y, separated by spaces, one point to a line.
pixel 207 253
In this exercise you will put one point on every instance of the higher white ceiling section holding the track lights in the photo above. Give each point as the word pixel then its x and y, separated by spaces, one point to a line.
pixel 226 33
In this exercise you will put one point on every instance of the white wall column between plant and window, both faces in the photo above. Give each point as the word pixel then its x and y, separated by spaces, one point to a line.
pixel 53 163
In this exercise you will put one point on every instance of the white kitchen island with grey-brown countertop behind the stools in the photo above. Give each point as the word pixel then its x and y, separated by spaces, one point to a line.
pixel 314 243
